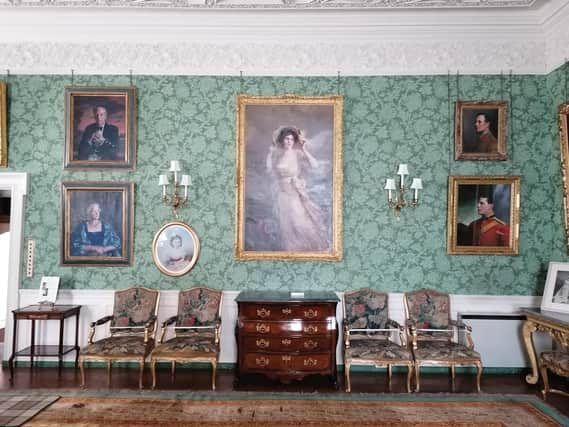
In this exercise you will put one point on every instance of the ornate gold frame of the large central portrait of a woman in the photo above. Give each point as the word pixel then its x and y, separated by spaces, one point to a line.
pixel 336 102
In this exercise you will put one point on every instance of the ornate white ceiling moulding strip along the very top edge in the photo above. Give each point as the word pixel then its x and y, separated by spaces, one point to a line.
pixel 279 4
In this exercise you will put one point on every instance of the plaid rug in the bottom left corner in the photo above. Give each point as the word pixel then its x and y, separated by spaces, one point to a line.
pixel 15 409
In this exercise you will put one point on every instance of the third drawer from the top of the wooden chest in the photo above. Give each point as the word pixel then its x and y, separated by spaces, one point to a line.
pixel 288 344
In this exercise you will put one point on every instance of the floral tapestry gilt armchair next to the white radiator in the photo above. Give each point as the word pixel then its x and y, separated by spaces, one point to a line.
pixel 433 332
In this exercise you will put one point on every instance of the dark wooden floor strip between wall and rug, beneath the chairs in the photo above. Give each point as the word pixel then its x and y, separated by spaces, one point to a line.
pixel 199 380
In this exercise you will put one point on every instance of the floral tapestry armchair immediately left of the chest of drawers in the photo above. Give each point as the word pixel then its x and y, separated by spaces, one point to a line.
pixel 196 332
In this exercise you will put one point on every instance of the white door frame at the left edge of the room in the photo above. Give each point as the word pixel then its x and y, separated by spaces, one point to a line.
pixel 17 183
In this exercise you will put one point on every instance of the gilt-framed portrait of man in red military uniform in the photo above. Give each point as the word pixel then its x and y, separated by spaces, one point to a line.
pixel 483 215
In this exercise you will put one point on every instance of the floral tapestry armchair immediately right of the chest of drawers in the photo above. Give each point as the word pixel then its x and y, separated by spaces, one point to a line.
pixel 368 334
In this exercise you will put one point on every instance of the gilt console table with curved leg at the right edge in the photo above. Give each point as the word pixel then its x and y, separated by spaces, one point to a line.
pixel 555 324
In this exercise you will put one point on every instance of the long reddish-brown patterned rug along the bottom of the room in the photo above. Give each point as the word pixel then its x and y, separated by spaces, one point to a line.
pixel 294 410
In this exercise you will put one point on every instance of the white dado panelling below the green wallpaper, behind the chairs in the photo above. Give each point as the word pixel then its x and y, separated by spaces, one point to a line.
pixel 98 303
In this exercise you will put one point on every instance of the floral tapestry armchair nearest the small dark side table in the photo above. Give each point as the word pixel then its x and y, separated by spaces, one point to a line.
pixel 132 330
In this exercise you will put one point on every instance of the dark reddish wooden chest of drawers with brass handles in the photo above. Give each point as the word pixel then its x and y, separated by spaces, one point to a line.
pixel 286 338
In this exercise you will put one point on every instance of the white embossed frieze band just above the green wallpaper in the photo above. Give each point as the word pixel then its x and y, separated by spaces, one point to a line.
pixel 379 58
